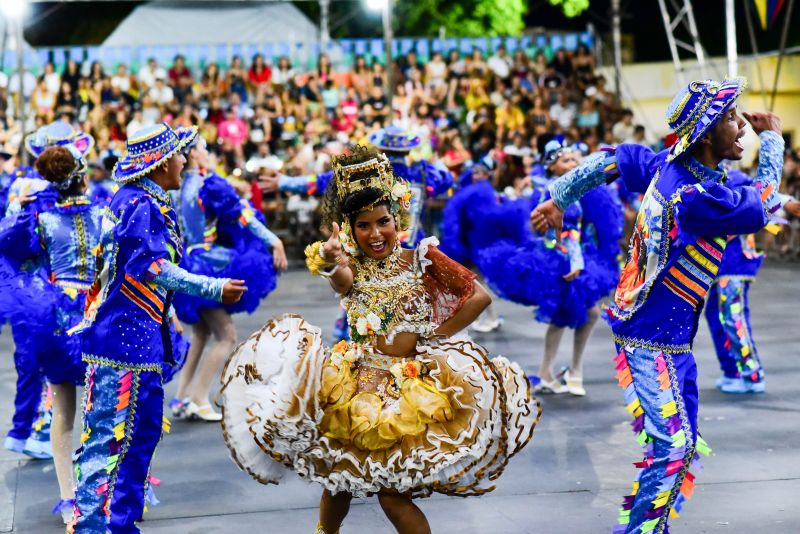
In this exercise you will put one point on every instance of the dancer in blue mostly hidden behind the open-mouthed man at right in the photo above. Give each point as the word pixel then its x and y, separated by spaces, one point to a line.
pixel 728 308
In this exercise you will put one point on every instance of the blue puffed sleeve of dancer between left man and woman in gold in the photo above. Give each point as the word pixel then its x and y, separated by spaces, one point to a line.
pixel 220 200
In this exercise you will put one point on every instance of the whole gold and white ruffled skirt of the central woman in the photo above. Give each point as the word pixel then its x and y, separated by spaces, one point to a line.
pixel 446 421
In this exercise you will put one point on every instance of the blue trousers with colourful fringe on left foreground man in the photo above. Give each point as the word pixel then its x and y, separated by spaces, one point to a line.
pixel 122 424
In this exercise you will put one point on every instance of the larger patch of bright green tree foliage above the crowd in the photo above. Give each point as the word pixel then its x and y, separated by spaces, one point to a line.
pixel 465 18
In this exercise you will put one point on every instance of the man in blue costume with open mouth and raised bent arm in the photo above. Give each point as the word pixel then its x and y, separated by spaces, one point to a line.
pixel 680 234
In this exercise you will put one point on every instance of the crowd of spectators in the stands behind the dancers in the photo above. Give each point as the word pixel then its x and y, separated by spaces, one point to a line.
pixel 262 117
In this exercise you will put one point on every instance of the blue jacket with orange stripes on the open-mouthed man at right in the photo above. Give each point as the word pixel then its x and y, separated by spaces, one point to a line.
pixel 679 236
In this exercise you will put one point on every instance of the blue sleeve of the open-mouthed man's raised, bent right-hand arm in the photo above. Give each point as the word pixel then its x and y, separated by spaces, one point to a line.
pixel 709 208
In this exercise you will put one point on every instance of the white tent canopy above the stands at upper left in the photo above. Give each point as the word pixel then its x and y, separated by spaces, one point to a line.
pixel 185 23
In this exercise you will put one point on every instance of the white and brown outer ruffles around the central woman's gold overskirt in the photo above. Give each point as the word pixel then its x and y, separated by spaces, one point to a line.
pixel 272 412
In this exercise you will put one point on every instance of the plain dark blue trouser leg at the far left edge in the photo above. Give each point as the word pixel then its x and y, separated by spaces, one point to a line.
pixel 29 399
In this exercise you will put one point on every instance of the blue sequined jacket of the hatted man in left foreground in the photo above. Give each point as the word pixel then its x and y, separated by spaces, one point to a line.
pixel 126 317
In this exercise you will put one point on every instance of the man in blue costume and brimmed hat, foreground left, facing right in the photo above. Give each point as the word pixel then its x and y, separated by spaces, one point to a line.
pixel 126 331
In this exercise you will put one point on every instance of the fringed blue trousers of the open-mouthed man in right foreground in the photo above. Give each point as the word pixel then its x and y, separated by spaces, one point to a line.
pixel 661 394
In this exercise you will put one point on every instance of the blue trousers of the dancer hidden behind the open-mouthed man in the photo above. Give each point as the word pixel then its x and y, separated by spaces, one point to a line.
pixel 728 316
